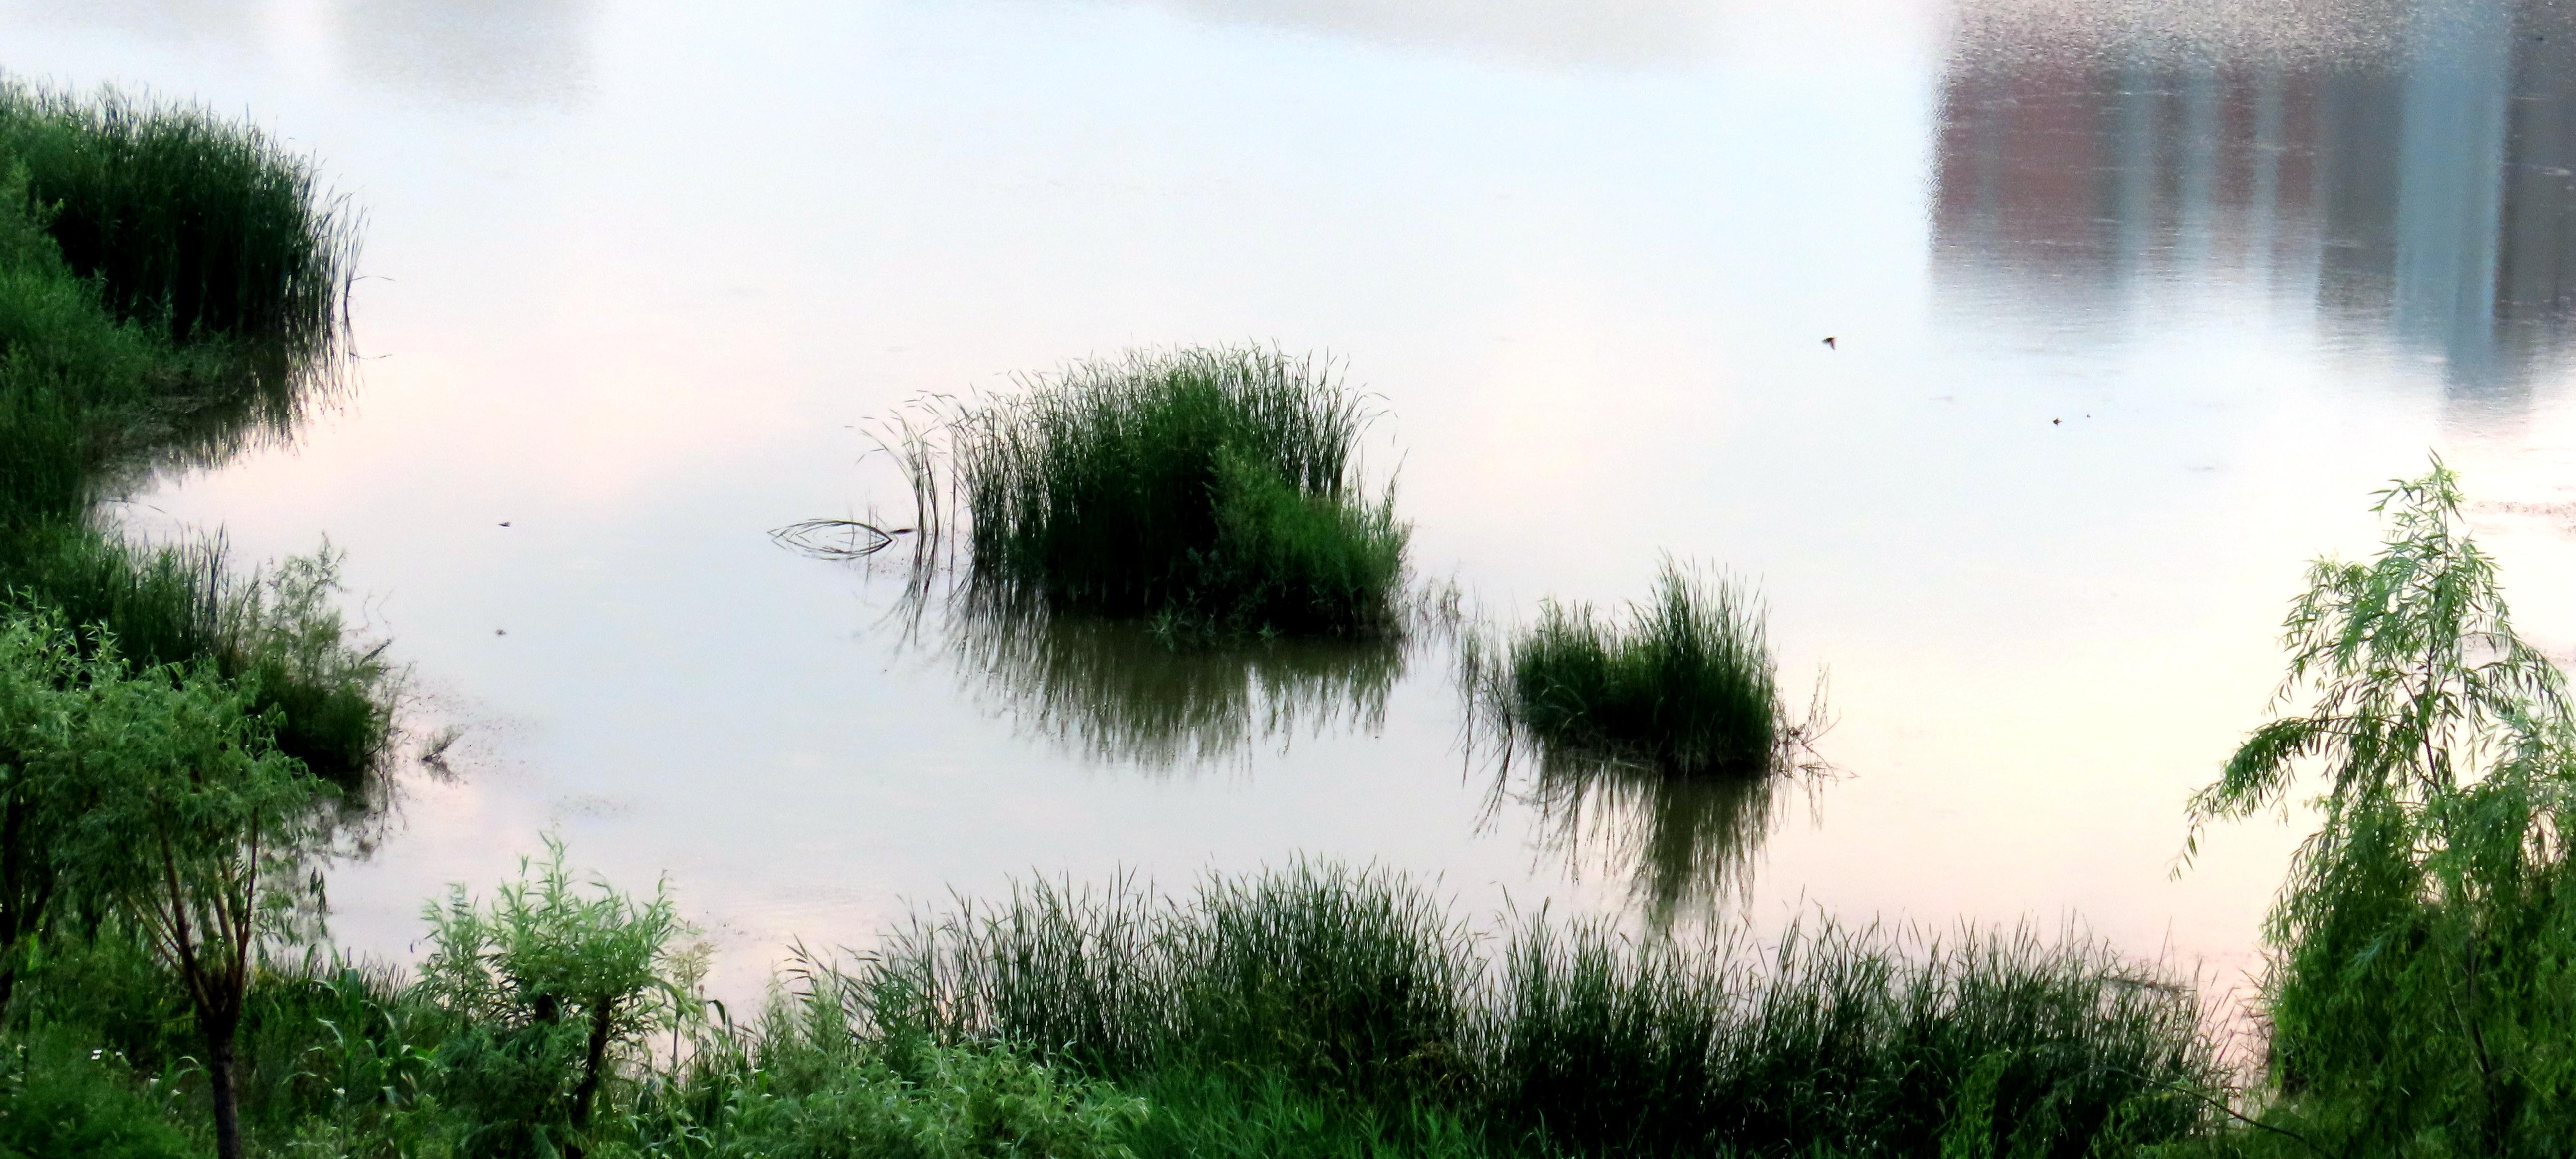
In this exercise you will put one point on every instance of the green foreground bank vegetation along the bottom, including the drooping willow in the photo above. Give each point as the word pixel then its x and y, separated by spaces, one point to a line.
pixel 2412 1008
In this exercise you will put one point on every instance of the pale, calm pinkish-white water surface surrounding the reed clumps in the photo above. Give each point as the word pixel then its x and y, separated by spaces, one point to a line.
pixel 2132 310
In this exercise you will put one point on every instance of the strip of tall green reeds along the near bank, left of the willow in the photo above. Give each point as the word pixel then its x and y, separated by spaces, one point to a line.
pixel 1364 990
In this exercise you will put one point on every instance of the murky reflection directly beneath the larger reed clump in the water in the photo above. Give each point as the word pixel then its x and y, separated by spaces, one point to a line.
pixel 1119 692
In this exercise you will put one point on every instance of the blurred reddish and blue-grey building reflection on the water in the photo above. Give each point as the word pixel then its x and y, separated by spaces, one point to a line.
pixel 2407 174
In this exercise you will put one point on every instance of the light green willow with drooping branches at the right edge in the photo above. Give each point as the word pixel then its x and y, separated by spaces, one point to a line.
pixel 2420 990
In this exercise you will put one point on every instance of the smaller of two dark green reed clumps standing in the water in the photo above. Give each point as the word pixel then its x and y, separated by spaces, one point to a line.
pixel 1686 684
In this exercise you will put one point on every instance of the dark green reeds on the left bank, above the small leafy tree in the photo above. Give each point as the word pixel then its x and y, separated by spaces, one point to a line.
pixel 94 390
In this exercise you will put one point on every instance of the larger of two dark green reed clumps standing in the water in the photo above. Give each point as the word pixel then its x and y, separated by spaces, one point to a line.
pixel 1217 491
